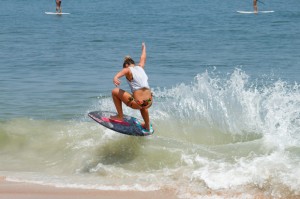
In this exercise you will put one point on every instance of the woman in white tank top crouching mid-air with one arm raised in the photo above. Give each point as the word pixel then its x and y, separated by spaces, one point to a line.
pixel 141 97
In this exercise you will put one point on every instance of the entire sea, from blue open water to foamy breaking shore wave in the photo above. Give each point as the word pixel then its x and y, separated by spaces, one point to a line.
pixel 225 85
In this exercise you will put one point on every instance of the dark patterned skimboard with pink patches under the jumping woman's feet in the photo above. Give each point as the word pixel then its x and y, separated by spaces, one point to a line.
pixel 129 125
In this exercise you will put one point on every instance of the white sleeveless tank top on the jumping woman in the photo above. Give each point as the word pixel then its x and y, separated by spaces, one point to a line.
pixel 139 79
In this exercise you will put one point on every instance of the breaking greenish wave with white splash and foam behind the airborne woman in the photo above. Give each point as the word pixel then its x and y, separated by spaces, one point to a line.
pixel 220 133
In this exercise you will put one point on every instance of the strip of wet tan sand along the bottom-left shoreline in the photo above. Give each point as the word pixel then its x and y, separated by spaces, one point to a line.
pixel 18 190
